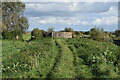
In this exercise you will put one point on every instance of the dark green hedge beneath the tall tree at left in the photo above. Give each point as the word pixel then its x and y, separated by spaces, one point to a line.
pixel 11 35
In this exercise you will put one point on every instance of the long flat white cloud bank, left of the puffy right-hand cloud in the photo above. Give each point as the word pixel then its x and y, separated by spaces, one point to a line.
pixel 58 20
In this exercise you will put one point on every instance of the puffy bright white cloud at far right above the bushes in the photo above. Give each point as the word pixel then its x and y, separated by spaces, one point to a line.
pixel 106 21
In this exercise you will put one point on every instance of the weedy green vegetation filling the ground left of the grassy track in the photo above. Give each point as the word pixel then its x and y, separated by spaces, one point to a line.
pixel 29 60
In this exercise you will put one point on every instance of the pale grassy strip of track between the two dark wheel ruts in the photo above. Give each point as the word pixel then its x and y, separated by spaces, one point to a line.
pixel 64 68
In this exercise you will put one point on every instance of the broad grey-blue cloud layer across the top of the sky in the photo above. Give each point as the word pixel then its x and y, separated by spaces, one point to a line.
pixel 66 9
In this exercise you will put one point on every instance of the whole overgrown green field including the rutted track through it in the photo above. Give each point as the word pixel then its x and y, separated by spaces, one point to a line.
pixel 60 58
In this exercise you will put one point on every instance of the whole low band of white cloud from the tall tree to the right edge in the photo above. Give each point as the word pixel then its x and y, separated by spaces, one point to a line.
pixel 74 20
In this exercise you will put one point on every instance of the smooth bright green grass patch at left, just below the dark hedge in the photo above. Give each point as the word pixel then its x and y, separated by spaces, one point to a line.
pixel 12 47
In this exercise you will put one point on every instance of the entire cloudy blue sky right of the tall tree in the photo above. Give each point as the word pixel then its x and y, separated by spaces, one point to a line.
pixel 81 16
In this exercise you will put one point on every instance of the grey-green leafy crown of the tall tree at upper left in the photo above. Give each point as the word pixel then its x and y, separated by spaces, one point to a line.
pixel 12 16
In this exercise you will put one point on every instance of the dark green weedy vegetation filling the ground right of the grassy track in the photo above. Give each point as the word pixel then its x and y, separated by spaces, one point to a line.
pixel 96 61
